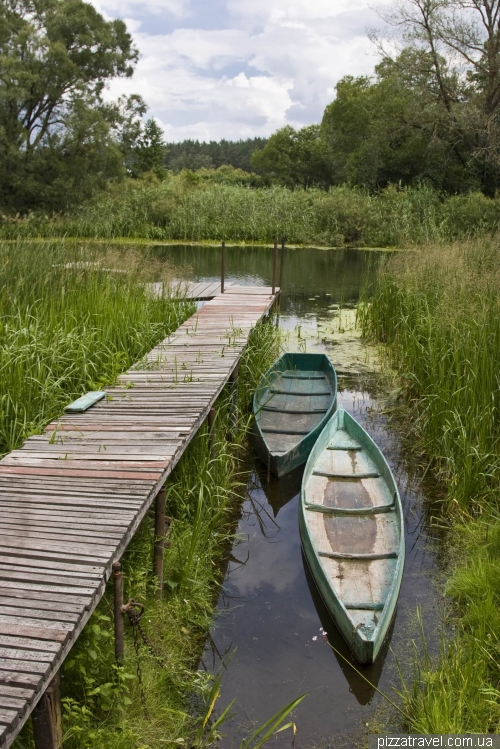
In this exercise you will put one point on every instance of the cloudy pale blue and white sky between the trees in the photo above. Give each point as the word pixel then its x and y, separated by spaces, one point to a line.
pixel 212 69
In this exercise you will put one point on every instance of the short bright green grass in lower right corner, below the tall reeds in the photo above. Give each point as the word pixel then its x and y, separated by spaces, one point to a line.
pixel 457 690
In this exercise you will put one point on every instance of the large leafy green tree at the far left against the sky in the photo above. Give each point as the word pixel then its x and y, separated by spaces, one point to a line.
pixel 56 139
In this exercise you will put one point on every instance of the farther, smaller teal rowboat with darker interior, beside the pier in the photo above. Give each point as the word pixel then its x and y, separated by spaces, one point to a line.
pixel 292 404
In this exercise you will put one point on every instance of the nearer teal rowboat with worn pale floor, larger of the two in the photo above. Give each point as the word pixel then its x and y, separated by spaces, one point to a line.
pixel 351 526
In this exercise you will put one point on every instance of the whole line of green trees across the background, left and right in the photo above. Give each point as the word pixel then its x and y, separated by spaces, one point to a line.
pixel 428 115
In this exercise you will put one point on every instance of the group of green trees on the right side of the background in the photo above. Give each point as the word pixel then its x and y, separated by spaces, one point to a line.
pixel 429 114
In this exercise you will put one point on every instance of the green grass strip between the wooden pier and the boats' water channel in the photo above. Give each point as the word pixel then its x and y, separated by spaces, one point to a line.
pixel 104 705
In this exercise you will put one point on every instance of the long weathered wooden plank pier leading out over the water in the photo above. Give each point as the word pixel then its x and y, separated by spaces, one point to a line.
pixel 72 498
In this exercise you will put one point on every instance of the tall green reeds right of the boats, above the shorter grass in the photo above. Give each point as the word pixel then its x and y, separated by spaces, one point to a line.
pixel 438 309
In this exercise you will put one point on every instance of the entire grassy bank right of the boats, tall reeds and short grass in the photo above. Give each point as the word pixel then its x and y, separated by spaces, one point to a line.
pixel 437 309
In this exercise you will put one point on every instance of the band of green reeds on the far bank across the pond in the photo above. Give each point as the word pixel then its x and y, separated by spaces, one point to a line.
pixel 189 207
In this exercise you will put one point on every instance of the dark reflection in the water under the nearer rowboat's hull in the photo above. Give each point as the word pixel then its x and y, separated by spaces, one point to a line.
pixel 371 671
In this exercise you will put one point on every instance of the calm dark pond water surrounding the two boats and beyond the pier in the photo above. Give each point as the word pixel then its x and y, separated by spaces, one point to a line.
pixel 269 610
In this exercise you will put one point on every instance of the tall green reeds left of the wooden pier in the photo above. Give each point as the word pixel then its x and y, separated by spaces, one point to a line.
pixel 73 316
